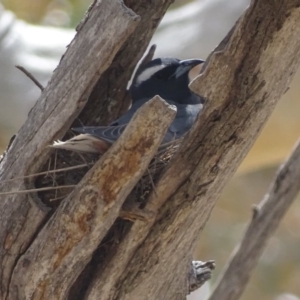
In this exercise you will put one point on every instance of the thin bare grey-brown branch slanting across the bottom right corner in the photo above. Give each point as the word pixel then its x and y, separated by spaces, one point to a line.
pixel 265 220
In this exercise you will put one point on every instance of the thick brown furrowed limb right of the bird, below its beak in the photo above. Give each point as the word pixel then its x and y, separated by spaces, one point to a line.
pixel 243 81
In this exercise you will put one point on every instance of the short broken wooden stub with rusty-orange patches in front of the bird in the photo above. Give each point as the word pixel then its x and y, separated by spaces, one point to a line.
pixel 66 243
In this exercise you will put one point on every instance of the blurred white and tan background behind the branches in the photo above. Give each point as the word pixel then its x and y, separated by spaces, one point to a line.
pixel 34 34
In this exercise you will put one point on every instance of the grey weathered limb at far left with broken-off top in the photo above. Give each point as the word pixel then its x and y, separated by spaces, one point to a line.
pixel 109 24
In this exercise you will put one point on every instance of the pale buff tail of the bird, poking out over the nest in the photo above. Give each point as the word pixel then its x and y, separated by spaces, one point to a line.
pixel 83 143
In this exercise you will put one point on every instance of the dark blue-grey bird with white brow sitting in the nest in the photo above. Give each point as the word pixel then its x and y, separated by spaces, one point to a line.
pixel 166 77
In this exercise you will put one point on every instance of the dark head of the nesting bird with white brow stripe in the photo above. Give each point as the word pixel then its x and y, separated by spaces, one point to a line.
pixel 167 77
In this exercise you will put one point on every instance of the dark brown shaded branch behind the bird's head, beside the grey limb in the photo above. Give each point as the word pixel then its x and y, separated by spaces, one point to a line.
pixel 109 98
